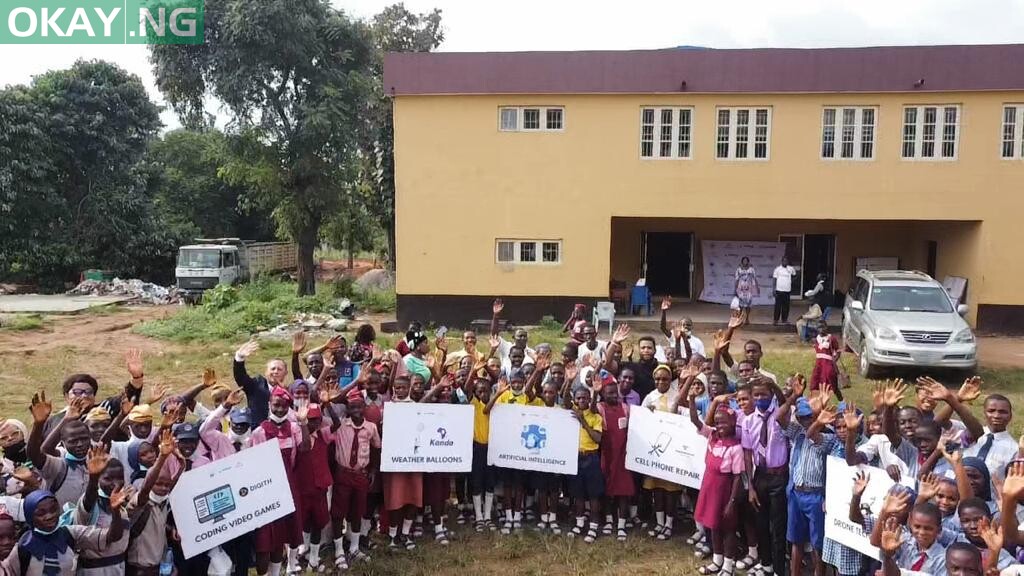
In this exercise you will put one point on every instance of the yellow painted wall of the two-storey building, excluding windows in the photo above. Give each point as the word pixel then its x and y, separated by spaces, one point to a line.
pixel 461 184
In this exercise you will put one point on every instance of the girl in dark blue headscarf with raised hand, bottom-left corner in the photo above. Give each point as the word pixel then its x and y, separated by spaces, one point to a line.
pixel 51 550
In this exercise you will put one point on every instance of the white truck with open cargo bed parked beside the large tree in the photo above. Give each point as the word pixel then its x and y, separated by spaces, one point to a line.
pixel 230 261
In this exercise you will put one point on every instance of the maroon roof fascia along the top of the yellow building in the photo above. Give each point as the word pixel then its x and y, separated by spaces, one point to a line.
pixel 890 69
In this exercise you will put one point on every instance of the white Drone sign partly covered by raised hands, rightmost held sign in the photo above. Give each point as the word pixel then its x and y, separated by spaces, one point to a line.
pixel 839 492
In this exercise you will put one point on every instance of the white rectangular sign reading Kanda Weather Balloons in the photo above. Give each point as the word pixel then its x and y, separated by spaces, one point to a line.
pixel 428 438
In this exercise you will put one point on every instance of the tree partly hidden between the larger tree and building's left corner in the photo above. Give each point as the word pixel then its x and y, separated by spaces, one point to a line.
pixel 395 30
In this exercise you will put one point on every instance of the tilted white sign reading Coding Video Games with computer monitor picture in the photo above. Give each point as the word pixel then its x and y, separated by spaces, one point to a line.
pixel 227 499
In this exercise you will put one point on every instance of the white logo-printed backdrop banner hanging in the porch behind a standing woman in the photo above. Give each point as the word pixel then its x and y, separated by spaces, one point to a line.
pixel 721 259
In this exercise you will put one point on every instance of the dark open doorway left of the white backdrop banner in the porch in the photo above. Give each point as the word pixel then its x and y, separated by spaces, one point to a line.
pixel 667 257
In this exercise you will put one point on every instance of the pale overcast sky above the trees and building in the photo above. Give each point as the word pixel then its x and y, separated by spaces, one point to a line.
pixel 574 25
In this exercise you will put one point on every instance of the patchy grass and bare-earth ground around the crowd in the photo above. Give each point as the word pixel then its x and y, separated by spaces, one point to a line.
pixel 42 356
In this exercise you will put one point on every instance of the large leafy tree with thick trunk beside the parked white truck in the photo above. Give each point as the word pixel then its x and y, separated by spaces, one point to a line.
pixel 294 75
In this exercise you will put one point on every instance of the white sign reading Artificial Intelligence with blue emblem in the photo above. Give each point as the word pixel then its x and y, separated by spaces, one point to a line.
pixel 534 438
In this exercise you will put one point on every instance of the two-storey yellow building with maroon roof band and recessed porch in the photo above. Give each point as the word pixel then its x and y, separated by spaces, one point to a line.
pixel 545 178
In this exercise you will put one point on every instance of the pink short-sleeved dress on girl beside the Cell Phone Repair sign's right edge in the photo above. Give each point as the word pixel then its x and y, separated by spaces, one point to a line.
pixel 723 462
